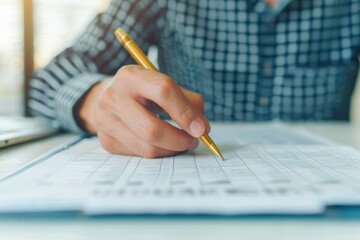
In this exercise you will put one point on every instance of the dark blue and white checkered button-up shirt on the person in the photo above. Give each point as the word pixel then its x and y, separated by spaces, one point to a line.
pixel 296 60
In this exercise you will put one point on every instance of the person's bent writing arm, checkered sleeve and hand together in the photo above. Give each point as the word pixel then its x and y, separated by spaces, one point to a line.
pixel 77 90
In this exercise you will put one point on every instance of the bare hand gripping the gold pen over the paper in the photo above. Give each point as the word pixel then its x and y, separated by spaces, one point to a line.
pixel 122 112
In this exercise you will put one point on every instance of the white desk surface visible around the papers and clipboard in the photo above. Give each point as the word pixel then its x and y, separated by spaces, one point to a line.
pixel 175 228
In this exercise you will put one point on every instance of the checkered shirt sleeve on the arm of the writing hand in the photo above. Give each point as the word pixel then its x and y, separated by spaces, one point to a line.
pixel 56 89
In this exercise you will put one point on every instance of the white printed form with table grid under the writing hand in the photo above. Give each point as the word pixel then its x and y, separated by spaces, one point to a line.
pixel 292 173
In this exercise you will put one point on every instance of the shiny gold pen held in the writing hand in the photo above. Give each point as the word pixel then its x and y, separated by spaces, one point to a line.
pixel 142 60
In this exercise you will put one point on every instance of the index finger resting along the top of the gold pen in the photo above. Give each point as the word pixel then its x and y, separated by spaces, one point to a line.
pixel 162 90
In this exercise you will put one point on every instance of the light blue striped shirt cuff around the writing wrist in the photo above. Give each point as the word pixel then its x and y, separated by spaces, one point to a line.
pixel 69 95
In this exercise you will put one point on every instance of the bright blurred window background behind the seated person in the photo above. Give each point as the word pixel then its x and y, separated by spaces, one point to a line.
pixel 34 31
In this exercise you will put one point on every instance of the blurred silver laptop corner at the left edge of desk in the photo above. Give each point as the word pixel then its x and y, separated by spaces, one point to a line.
pixel 15 130
